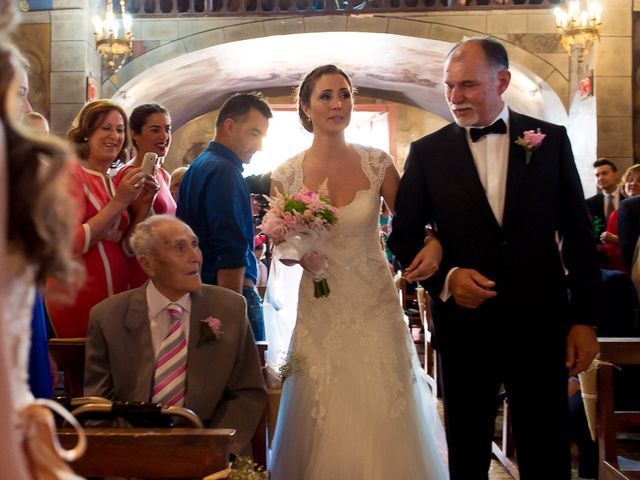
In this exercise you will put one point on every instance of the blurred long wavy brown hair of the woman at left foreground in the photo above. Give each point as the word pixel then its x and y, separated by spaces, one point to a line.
pixel 40 214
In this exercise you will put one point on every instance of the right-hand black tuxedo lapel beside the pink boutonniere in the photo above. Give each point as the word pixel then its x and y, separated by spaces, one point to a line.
pixel 516 169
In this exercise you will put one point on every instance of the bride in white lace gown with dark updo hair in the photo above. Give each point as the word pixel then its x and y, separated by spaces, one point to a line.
pixel 355 404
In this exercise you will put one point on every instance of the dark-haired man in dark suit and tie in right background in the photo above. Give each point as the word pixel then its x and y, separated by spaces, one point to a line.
pixel 603 203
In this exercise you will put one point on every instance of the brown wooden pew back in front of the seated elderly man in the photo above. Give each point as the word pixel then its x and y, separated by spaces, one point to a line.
pixel 152 453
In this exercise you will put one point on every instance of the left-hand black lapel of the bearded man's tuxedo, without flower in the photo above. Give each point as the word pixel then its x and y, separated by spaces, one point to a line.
pixel 458 154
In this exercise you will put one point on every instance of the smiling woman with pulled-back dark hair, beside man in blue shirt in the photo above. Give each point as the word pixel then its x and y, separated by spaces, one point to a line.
pixel 150 127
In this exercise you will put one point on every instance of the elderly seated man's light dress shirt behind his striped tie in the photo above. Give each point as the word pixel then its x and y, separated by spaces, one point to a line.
pixel 159 315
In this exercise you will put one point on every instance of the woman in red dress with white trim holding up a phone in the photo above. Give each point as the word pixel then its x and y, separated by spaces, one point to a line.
pixel 101 236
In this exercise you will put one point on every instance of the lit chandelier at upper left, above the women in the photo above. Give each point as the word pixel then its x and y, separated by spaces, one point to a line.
pixel 113 36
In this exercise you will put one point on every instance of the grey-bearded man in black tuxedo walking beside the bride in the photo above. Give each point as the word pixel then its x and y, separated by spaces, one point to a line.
pixel 501 306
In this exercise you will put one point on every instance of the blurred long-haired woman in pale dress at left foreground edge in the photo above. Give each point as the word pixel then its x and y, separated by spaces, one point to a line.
pixel 39 240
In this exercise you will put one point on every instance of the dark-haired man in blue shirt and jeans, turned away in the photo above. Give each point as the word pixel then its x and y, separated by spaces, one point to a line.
pixel 214 201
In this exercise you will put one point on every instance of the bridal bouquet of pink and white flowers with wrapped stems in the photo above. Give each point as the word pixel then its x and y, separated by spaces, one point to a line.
pixel 296 223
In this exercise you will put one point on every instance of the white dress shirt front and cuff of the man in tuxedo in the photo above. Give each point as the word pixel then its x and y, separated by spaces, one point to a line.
pixel 491 157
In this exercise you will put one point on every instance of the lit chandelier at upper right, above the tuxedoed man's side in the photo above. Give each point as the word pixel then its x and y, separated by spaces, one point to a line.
pixel 578 23
